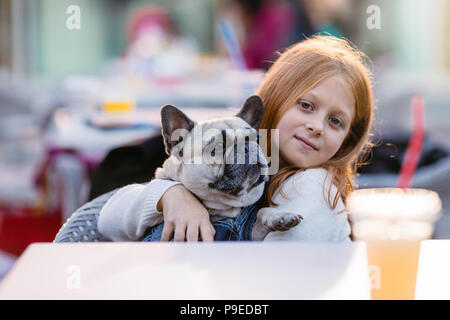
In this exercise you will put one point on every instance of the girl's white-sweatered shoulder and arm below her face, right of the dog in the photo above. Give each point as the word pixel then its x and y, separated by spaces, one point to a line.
pixel 308 195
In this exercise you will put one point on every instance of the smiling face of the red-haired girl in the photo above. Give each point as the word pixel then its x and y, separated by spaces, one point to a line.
pixel 312 131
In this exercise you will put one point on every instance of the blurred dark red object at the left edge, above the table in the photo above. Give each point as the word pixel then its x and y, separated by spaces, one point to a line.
pixel 19 227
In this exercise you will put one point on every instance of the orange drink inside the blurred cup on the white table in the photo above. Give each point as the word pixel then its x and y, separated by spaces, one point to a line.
pixel 395 271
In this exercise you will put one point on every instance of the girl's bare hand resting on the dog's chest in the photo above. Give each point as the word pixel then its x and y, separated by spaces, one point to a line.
pixel 185 215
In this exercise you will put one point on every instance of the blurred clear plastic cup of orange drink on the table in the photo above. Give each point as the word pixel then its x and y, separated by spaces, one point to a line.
pixel 393 222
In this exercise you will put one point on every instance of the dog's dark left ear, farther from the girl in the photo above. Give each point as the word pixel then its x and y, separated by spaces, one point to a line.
pixel 172 119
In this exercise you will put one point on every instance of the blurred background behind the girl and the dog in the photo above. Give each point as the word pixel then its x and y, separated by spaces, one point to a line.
pixel 81 80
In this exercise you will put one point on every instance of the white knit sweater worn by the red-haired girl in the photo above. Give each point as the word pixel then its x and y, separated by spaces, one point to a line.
pixel 127 215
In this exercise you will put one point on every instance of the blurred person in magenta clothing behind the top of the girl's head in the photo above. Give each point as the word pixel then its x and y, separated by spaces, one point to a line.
pixel 267 26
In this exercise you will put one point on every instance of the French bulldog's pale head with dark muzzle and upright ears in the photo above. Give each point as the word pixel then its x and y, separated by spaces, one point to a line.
pixel 219 160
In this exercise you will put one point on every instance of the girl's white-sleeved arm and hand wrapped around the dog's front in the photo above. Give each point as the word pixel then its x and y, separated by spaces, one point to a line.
pixel 134 208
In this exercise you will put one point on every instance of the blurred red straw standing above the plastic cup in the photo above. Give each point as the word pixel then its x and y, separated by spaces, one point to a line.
pixel 415 144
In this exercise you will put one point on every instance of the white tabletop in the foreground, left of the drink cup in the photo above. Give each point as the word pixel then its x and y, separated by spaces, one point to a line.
pixel 189 271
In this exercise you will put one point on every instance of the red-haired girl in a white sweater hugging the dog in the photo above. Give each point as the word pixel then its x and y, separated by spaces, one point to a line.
pixel 318 95
